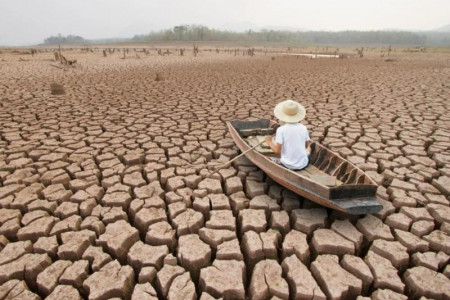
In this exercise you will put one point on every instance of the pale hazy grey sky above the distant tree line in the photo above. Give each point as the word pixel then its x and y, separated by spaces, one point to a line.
pixel 25 22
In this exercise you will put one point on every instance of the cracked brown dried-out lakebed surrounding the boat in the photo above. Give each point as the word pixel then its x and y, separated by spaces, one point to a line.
pixel 103 191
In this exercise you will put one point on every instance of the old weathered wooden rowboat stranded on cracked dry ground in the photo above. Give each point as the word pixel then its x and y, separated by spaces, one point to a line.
pixel 329 179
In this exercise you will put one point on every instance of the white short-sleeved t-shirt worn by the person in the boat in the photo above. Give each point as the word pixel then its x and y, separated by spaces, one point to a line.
pixel 293 137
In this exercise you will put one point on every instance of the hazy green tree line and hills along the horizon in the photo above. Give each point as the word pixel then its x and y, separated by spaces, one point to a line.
pixel 202 33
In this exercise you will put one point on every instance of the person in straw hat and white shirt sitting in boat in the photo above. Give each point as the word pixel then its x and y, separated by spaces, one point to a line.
pixel 292 141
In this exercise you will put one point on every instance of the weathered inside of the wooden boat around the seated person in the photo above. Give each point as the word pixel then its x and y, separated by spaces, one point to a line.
pixel 325 167
